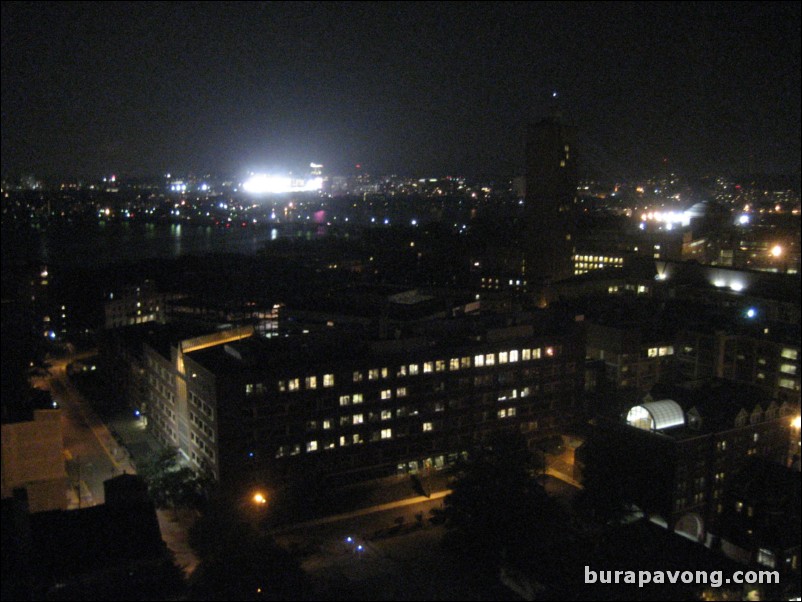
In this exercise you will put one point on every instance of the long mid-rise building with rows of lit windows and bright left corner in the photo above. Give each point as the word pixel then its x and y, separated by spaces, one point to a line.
pixel 244 407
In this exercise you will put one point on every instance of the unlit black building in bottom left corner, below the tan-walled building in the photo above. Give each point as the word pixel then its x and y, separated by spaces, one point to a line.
pixel 113 551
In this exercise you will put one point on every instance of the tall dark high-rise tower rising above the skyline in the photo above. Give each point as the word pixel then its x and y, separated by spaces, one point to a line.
pixel 550 190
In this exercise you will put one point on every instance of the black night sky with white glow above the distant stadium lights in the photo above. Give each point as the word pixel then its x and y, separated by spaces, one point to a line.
pixel 419 89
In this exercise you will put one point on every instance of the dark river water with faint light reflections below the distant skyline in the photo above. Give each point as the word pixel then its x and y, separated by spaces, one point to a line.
pixel 98 245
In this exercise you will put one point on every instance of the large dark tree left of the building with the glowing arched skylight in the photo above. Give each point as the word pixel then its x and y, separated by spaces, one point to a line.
pixel 497 510
